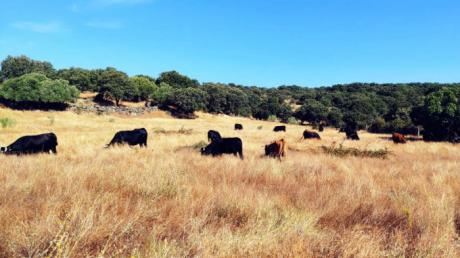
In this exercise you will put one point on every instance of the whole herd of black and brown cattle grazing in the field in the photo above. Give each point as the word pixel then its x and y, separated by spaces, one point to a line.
pixel 46 143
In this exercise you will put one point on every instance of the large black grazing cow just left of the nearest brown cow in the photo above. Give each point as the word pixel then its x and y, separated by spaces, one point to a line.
pixel 224 146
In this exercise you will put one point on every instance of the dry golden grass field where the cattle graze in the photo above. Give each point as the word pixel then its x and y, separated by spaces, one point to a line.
pixel 169 201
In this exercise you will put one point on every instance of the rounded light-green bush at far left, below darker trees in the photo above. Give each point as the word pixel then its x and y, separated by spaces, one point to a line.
pixel 37 87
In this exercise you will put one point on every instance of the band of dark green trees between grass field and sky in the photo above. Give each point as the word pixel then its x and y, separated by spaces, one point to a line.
pixel 380 108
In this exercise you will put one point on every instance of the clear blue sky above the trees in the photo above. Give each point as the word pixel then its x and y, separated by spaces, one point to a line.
pixel 250 42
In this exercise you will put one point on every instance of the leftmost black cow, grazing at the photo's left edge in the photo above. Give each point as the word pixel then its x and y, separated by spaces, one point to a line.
pixel 32 144
